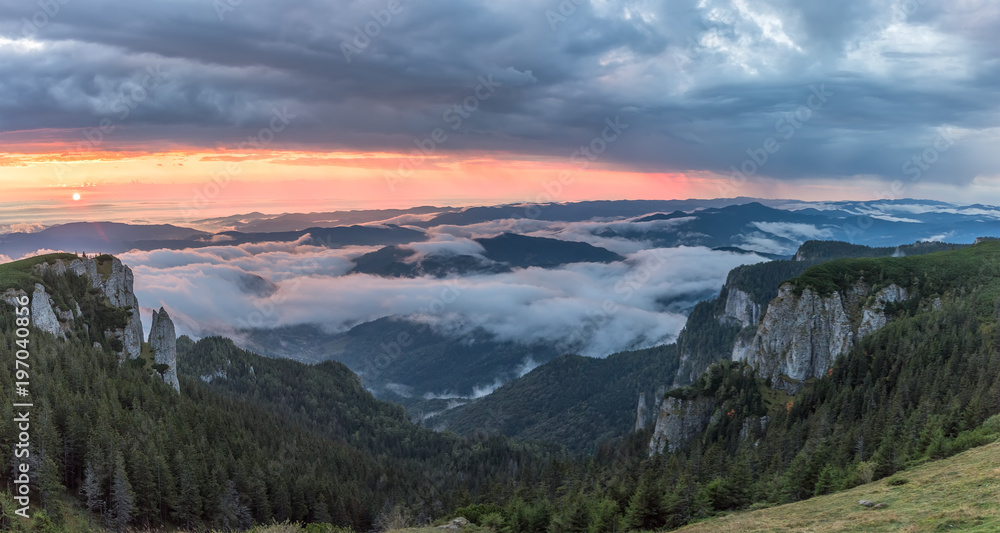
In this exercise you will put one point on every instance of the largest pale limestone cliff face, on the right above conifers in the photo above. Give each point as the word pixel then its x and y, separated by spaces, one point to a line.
pixel 801 336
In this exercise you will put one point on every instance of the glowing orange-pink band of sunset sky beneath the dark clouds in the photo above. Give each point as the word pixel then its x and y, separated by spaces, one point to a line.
pixel 226 182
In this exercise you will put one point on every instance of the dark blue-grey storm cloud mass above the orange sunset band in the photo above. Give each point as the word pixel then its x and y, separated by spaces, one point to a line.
pixel 699 82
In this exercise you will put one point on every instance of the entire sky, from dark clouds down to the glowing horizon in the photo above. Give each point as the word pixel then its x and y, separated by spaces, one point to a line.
pixel 310 105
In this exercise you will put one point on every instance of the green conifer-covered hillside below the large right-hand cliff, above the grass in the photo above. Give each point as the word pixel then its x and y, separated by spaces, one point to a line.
pixel 923 387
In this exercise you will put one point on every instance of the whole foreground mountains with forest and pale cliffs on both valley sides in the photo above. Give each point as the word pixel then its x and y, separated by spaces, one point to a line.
pixel 806 376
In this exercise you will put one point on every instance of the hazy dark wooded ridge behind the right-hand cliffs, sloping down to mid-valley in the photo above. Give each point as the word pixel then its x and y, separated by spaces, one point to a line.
pixel 580 402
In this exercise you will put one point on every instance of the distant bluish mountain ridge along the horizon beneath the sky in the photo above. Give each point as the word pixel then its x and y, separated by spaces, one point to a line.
pixel 774 227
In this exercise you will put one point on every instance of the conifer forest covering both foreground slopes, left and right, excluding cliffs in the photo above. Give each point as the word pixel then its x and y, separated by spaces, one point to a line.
pixel 251 439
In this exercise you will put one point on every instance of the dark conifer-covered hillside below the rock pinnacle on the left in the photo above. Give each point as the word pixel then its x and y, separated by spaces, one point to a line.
pixel 248 440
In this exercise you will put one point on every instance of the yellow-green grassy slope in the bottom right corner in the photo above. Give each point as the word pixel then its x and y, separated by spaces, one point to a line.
pixel 961 493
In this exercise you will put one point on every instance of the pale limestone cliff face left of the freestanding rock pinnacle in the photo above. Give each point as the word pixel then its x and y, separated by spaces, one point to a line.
pixel 117 287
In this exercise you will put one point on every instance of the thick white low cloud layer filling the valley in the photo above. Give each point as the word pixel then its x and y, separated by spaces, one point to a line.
pixel 592 309
